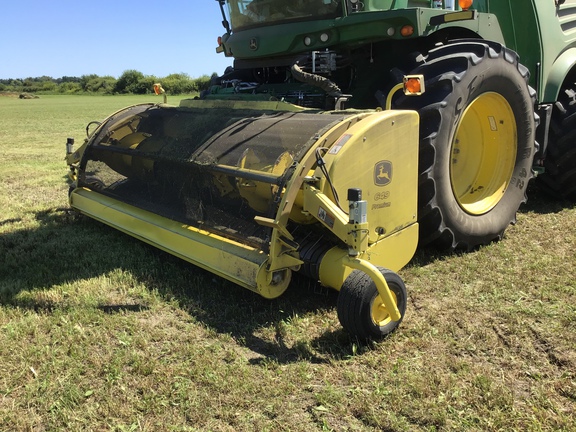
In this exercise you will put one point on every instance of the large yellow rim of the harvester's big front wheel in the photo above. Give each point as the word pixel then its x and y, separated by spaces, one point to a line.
pixel 483 153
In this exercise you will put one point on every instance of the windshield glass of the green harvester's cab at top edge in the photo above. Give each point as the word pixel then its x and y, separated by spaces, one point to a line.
pixel 249 13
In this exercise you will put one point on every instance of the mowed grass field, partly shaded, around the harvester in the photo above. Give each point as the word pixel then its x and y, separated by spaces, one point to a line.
pixel 101 332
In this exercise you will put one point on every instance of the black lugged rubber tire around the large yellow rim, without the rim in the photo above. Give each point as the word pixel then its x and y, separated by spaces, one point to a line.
pixel 443 220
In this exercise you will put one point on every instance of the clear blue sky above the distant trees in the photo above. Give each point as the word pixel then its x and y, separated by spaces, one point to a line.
pixel 78 37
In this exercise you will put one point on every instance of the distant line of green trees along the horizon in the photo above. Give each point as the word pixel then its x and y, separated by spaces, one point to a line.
pixel 130 82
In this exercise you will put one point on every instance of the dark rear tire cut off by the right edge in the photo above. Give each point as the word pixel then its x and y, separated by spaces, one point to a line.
pixel 559 178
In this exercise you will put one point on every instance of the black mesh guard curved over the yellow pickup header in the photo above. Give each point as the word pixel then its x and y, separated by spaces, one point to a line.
pixel 162 159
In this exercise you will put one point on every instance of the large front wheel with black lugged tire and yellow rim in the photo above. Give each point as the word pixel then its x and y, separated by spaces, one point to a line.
pixel 477 142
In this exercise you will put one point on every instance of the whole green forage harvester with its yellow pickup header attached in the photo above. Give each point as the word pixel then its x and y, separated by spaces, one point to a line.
pixel 303 156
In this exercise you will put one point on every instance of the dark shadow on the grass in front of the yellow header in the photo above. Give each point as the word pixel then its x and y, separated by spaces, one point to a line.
pixel 65 248
